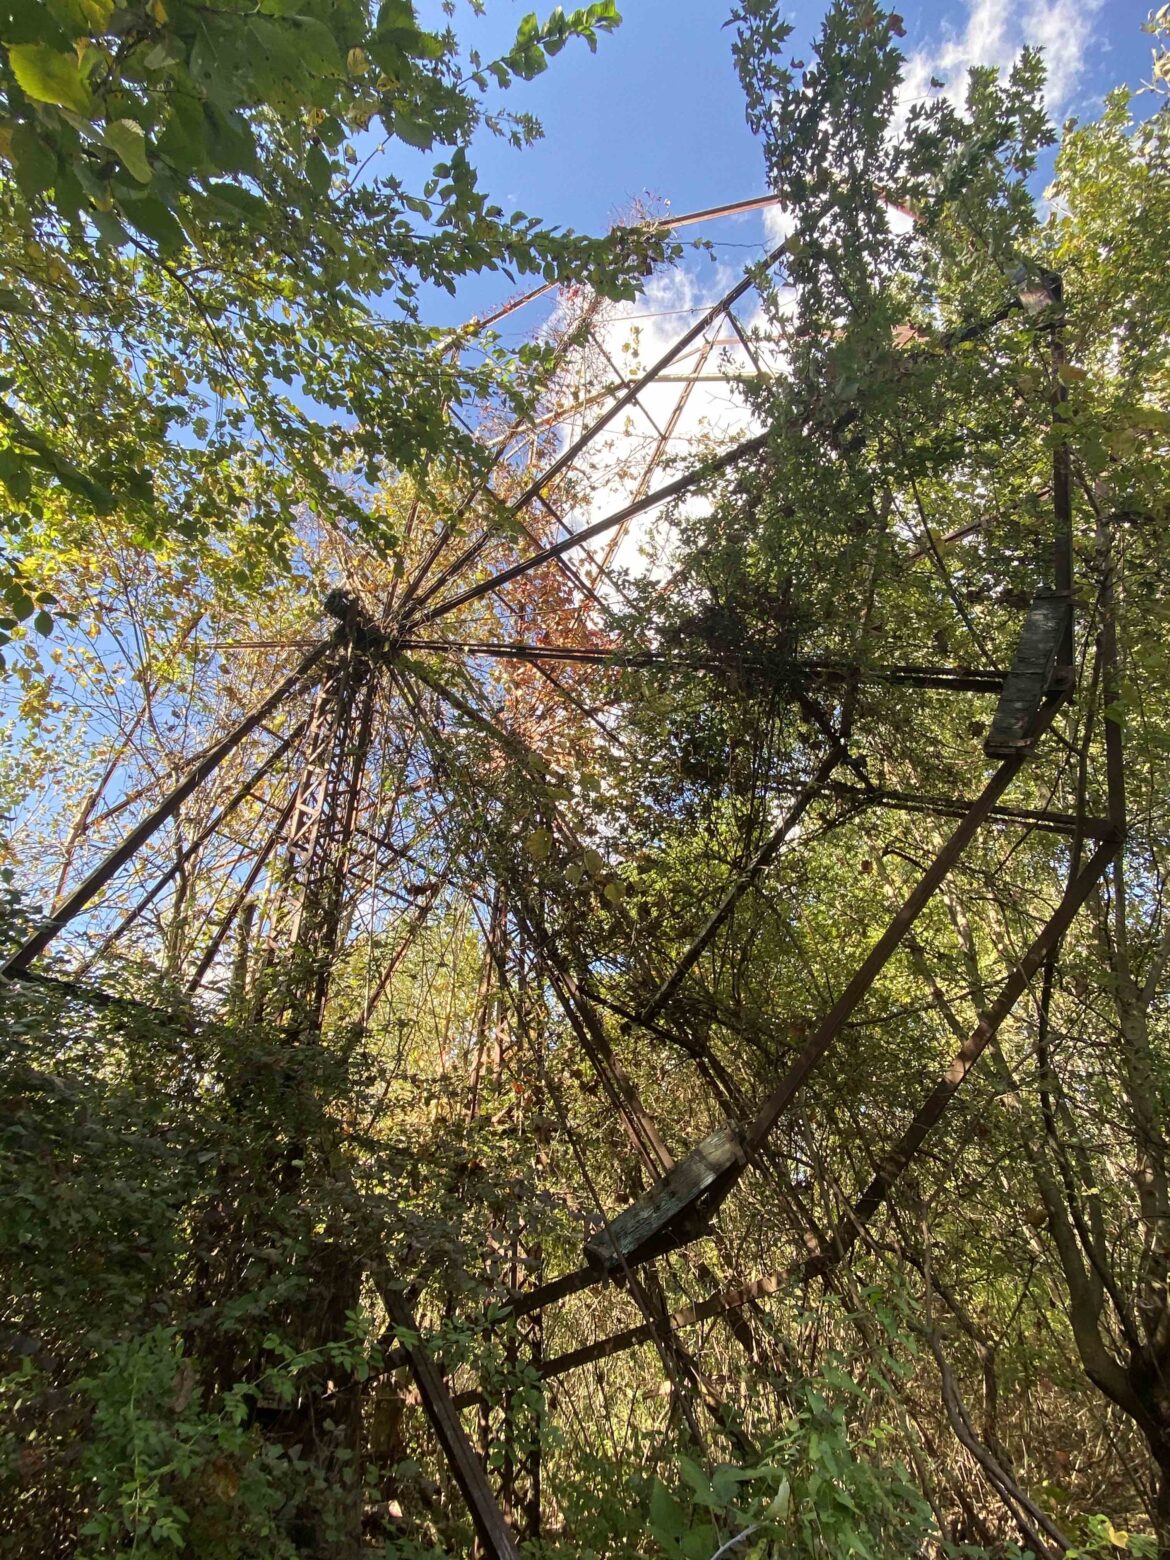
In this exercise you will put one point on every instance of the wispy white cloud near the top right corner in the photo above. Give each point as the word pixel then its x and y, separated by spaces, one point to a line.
pixel 994 32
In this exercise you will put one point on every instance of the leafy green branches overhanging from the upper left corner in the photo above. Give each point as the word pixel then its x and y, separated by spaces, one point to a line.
pixel 213 266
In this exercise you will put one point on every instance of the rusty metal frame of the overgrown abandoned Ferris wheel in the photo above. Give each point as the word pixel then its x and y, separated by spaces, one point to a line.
pixel 313 834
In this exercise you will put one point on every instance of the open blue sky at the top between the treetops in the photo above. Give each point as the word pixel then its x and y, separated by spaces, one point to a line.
pixel 659 110
